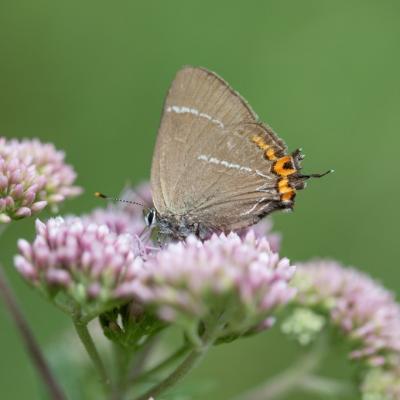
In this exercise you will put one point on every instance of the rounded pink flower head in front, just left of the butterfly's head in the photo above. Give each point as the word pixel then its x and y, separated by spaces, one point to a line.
pixel 86 262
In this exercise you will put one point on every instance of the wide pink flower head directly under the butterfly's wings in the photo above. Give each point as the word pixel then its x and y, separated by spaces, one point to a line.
pixel 236 283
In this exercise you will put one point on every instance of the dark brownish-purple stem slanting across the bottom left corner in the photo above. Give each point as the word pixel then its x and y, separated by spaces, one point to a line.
pixel 29 340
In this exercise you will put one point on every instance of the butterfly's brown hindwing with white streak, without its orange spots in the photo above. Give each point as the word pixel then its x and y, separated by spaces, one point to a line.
pixel 238 186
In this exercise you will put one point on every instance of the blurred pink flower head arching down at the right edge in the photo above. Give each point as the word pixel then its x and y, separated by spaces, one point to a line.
pixel 362 309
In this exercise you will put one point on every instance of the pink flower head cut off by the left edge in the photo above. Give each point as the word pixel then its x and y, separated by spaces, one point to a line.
pixel 32 176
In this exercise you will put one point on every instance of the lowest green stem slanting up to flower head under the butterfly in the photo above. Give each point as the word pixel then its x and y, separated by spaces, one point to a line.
pixel 182 370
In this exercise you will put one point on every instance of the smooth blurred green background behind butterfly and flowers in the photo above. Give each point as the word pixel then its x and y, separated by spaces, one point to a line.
pixel 91 77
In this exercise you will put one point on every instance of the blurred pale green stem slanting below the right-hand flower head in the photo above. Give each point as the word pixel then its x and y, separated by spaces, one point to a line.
pixel 285 382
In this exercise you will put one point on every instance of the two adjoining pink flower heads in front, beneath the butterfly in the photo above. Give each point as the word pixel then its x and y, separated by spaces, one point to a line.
pixel 100 258
